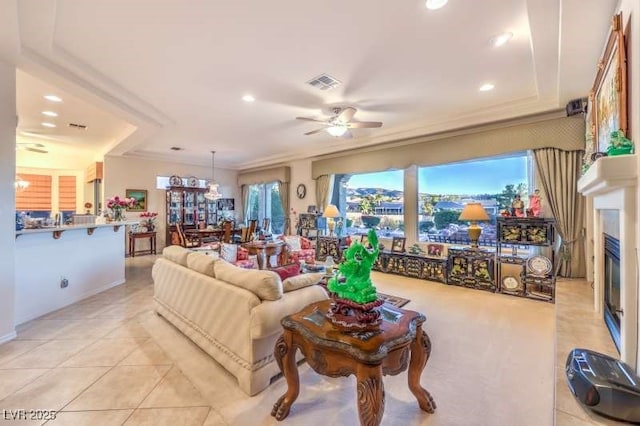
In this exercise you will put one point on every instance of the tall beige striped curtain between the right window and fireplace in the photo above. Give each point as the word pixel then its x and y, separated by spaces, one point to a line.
pixel 559 172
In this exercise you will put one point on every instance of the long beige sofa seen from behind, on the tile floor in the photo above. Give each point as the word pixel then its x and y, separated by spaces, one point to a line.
pixel 233 314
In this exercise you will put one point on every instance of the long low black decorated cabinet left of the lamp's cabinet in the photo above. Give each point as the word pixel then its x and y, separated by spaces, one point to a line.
pixel 412 265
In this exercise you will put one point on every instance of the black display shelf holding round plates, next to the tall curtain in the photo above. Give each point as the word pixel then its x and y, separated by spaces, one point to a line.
pixel 532 275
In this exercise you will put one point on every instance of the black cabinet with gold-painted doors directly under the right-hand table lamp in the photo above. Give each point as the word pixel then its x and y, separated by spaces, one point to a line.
pixel 473 268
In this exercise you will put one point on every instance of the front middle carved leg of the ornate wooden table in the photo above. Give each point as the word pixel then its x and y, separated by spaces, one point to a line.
pixel 370 394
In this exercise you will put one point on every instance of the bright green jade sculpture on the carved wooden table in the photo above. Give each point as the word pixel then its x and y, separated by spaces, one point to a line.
pixel 353 280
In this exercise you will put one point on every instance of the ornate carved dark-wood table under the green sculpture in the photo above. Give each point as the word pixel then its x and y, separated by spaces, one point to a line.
pixel 399 343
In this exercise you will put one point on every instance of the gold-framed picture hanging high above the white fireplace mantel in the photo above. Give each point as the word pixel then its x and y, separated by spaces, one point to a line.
pixel 609 92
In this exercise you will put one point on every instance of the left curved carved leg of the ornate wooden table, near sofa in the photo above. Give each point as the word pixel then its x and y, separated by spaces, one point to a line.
pixel 285 356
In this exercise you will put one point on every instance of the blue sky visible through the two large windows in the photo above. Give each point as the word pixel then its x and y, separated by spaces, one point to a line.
pixel 473 177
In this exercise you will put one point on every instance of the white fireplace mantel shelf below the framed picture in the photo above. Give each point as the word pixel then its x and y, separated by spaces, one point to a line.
pixel 609 173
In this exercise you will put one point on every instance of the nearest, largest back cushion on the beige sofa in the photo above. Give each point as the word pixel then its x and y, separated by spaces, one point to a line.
pixel 264 284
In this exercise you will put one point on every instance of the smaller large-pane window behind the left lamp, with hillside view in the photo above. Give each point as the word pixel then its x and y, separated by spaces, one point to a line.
pixel 374 201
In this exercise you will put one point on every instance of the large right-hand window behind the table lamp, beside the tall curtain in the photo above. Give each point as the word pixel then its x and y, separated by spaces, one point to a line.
pixel 443 191
